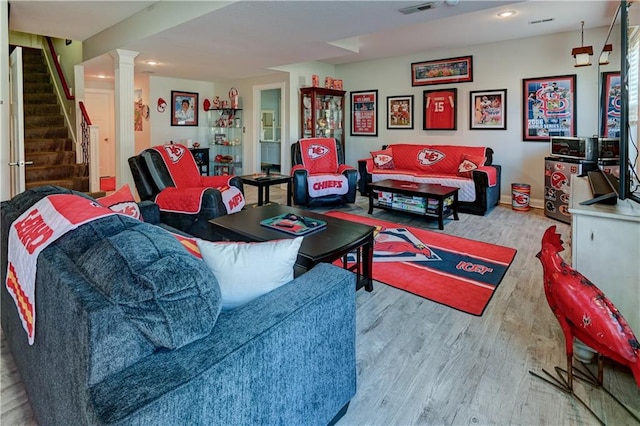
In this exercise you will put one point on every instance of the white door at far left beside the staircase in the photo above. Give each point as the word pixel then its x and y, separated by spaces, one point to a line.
pixel 16 134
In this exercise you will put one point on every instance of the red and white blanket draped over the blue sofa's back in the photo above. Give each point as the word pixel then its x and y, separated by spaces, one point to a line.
pixel 45 222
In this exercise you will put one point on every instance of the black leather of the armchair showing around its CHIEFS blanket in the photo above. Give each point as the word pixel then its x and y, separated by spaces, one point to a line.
pixel 300 175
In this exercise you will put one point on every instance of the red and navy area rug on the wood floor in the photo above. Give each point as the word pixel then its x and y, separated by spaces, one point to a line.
pixel 460 273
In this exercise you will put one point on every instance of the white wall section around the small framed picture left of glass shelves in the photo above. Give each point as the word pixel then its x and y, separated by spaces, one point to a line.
pixel 160 123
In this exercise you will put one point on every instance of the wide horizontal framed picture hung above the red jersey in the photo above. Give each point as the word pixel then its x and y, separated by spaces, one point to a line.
pixel 441 71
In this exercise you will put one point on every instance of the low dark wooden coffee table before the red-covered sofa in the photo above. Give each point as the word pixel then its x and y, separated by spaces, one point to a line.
pixel 421 190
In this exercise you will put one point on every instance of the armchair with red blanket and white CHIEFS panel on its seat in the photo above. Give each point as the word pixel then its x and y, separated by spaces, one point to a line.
pixel 320 176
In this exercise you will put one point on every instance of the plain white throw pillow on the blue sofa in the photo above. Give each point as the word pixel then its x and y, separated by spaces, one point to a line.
pixel 249 270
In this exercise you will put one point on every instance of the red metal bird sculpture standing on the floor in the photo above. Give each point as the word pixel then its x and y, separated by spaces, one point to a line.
pixel 584 312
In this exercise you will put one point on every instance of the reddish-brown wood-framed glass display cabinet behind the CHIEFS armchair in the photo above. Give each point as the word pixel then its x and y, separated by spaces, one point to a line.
pixel 322 113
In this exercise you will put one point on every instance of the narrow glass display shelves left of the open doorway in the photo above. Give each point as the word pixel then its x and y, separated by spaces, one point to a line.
pixel 225 140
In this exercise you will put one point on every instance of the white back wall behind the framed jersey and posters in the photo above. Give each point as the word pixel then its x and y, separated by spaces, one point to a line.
pixel 495 66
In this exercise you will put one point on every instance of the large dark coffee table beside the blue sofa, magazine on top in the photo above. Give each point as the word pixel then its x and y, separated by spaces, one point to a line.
pixel 329 244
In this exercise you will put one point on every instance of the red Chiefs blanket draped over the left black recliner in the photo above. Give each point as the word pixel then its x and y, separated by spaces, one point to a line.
pixel 189 189
